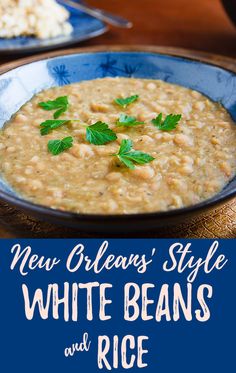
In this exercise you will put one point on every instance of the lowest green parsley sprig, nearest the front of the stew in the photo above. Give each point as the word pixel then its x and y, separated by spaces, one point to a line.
pixel 129 157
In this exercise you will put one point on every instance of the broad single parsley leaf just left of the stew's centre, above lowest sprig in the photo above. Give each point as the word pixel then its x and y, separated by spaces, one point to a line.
pixel 99 134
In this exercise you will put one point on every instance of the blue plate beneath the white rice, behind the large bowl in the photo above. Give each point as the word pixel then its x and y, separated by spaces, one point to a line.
pixel 84 27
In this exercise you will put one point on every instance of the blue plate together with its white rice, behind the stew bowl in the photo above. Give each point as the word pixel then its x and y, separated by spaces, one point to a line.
pixel 28 26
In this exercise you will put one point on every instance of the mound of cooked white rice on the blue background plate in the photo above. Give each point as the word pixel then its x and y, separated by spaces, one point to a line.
pixel 39 18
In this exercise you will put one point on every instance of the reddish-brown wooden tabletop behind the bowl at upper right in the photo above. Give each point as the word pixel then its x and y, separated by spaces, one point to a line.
pixel 195 24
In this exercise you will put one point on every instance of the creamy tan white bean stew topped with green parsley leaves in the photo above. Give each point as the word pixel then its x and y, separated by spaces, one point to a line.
pixel 118 146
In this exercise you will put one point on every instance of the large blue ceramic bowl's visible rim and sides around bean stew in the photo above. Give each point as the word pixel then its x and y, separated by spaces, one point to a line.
pixel 17 86
